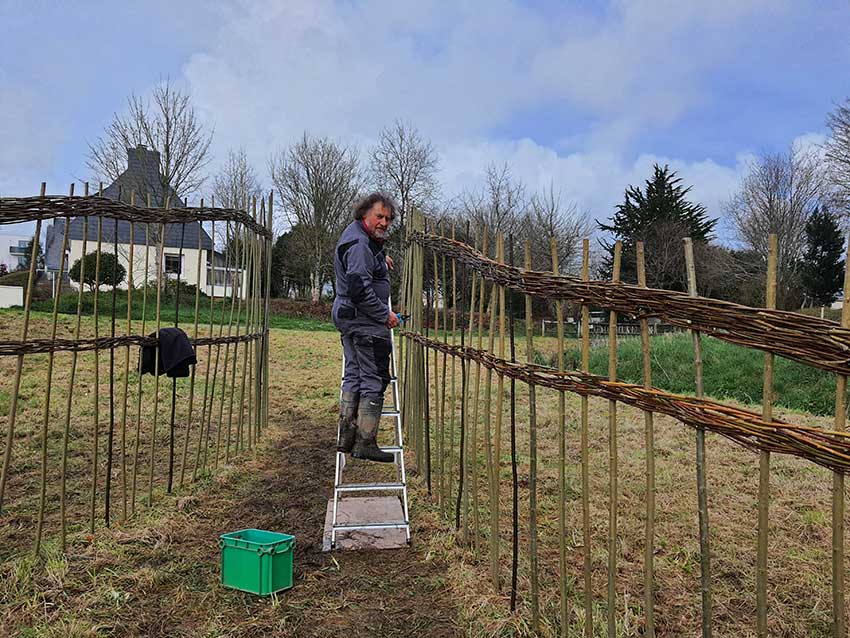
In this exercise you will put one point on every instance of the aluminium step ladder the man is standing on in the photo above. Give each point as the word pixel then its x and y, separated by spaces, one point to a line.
pixel 397 449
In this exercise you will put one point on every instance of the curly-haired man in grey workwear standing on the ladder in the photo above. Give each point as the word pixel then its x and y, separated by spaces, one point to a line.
pixel 362 314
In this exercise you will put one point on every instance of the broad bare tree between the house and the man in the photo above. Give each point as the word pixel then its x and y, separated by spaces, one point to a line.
pixel 317 181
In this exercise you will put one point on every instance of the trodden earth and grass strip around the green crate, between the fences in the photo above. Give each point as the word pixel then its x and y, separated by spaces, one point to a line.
pixel 160 577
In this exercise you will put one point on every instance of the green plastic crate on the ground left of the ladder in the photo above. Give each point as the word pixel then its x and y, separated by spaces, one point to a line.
pixel 256 561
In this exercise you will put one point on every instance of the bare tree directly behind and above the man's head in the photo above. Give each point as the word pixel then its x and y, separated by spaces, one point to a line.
pixel 404 166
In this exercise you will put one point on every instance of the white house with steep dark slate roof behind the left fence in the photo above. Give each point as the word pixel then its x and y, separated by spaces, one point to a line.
pixel 142 177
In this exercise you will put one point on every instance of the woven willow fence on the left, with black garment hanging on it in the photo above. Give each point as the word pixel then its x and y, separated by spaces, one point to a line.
pixel 87 436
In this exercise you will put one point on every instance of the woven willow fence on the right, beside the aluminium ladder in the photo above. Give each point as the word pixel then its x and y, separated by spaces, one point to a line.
pixel 450 416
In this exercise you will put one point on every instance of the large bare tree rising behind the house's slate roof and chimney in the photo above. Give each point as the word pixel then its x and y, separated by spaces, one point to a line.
pixel 167 124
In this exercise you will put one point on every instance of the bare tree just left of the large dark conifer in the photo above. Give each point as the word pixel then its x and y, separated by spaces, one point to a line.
pixel 547 216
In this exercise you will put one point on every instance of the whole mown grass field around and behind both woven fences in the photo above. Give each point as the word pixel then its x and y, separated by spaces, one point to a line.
pixel 156 574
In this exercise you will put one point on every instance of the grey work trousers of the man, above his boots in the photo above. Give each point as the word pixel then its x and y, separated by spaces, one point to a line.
pixel 367 364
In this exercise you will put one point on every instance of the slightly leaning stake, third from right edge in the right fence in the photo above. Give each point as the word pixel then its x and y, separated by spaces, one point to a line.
pixel 702 494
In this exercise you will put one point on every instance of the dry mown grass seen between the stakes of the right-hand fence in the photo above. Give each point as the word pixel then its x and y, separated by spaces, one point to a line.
pixel 799 545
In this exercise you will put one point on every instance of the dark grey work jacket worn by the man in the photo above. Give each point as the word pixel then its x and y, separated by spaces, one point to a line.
pixel 362 283
